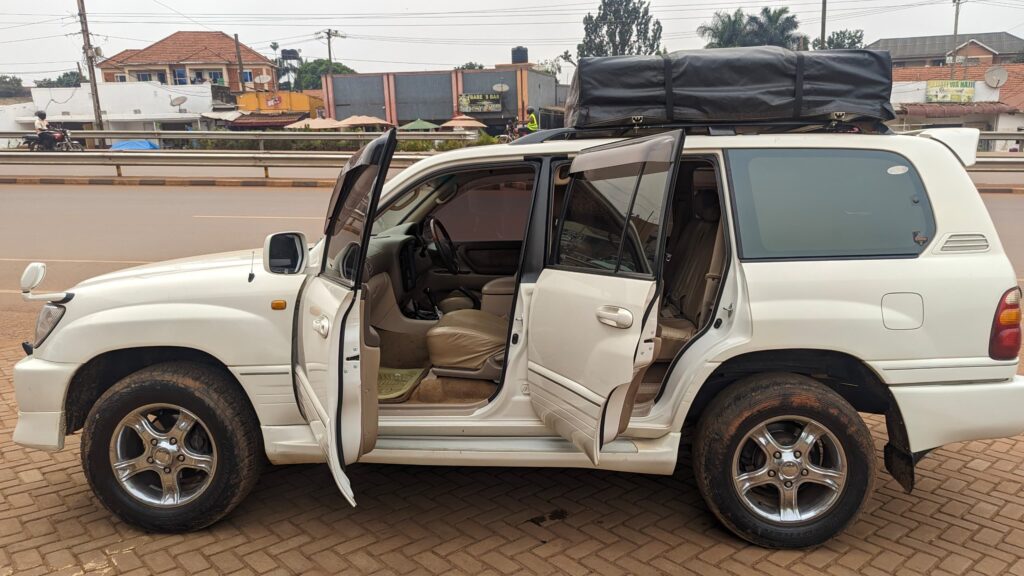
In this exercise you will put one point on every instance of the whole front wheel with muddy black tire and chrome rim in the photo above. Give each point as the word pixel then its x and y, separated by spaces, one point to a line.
pixel 174 447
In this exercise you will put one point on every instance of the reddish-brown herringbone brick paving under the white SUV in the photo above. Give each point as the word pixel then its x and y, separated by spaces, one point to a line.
pixel 967 517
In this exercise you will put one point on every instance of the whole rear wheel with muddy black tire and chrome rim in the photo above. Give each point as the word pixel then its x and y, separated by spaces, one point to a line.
pixel 783 461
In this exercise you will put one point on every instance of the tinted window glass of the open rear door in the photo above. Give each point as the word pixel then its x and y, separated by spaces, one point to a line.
pixel 596 233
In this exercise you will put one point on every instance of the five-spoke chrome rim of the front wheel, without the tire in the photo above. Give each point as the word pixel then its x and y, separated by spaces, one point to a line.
pixel 163 456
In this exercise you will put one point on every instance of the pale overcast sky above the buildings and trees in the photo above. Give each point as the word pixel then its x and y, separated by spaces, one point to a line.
pixel 39 39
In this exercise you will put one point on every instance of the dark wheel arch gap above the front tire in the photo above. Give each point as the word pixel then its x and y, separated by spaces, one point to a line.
pixel 103 372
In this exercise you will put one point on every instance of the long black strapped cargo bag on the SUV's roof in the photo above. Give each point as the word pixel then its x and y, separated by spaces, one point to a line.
pixel 757 85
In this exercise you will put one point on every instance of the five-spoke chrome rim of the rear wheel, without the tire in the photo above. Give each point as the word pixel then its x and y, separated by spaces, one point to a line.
pixel 790 470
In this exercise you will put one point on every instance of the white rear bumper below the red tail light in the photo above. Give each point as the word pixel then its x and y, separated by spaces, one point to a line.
pixel 940 415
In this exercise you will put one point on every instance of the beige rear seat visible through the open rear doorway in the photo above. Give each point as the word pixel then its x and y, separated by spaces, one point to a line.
pixel 689 270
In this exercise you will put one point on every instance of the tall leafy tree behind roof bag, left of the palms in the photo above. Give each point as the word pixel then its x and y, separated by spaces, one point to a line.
pixel 621 27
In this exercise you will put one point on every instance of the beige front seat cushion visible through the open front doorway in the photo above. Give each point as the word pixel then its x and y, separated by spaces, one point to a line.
pixel 468 344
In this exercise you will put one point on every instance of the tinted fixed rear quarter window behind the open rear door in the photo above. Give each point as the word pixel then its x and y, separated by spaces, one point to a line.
pixel 829 204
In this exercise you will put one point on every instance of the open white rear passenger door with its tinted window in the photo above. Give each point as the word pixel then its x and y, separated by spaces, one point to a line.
pixel 593 315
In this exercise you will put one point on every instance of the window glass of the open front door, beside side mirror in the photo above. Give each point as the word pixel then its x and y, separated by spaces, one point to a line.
pixel 344 249
